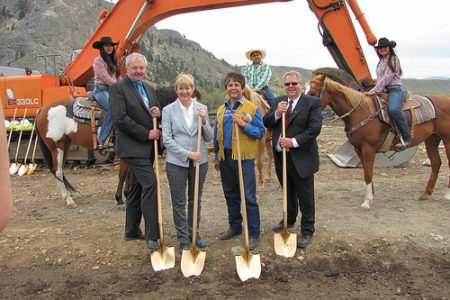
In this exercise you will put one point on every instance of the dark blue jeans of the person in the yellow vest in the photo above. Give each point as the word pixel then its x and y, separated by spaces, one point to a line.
pixel 229 174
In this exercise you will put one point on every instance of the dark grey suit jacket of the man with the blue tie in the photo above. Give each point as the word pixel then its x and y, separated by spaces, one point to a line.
pixel 132 120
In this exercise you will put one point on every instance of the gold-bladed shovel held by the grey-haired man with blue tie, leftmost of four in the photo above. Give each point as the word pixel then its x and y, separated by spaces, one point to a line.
pixel 164 258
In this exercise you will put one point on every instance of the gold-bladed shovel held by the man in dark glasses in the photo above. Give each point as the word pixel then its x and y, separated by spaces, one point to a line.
pixel 285 243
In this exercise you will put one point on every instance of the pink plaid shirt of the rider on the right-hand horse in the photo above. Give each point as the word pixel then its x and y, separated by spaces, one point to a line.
pixel 385 76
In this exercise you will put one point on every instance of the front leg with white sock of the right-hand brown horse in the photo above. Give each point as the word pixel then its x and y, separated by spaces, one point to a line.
pixel 367 157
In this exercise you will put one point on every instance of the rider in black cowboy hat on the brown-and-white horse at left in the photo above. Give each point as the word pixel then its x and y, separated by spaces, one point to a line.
pixel 106 72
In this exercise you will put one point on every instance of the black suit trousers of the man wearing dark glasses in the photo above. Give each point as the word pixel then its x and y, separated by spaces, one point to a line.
pixel 300 193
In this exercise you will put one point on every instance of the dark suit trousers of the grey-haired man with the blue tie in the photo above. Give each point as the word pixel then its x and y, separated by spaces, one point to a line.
pixel 142 199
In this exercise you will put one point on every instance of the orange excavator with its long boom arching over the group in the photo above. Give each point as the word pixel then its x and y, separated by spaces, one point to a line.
pixel 128 20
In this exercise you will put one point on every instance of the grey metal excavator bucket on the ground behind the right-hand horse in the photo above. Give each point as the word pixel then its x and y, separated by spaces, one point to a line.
pixel 346 157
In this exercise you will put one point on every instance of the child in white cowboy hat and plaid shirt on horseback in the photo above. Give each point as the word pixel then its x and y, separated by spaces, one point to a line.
pixel 258 73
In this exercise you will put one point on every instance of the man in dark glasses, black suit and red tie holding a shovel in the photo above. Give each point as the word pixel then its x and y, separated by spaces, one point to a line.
pixel 303 124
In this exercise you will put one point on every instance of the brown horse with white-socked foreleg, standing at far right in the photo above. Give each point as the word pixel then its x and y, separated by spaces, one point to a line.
pixel 367 133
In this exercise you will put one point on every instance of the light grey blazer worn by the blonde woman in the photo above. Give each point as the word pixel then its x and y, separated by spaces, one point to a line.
pixel 179 139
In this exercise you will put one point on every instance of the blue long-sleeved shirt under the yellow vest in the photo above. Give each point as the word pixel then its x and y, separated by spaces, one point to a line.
pixel 255 130
